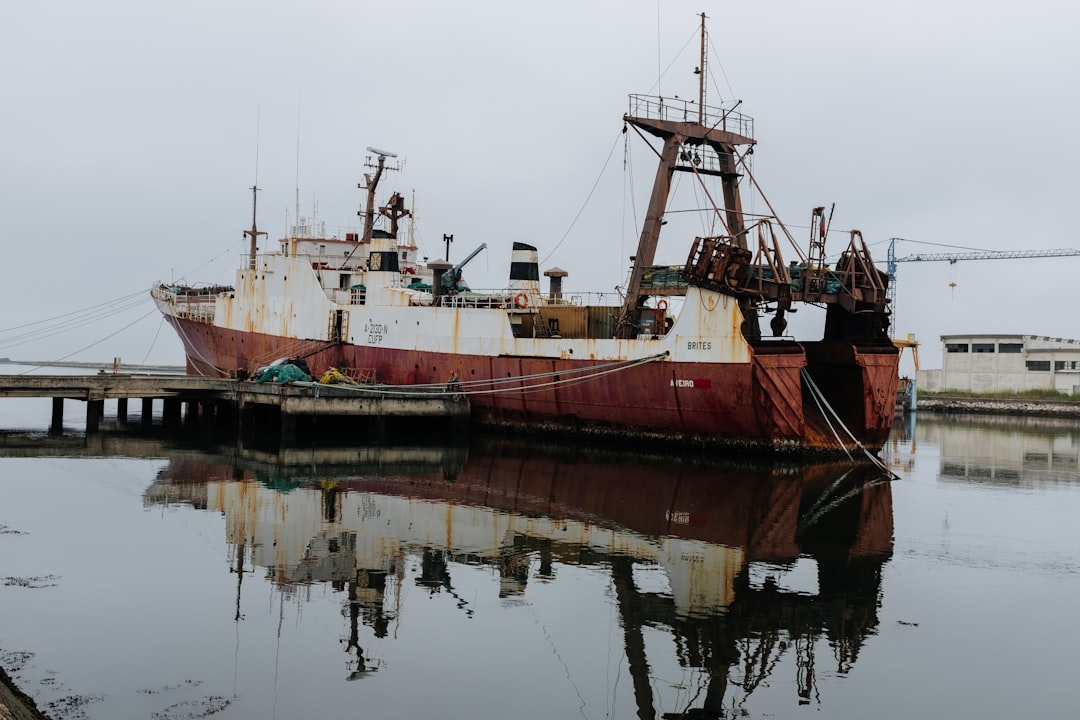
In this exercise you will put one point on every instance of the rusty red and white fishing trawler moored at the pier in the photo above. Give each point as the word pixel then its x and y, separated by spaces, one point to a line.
pixel 694 355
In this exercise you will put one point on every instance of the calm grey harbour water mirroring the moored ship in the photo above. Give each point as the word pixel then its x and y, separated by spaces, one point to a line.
pixel 144 579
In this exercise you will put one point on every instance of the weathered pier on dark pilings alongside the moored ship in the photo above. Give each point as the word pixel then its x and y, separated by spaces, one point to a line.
pixel 191 399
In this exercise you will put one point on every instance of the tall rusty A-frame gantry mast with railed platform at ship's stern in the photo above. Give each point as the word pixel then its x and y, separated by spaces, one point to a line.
pixel 705 146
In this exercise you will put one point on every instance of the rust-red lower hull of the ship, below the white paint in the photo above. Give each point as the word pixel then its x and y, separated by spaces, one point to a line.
pixel 763 404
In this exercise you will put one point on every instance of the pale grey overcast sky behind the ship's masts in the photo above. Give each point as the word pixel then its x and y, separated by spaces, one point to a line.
pixel 131 132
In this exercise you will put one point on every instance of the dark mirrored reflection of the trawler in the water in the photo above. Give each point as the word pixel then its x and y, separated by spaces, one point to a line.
pixel 723 573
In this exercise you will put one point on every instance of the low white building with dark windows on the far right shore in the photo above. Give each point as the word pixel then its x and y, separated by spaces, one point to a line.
pixel 1005 363
